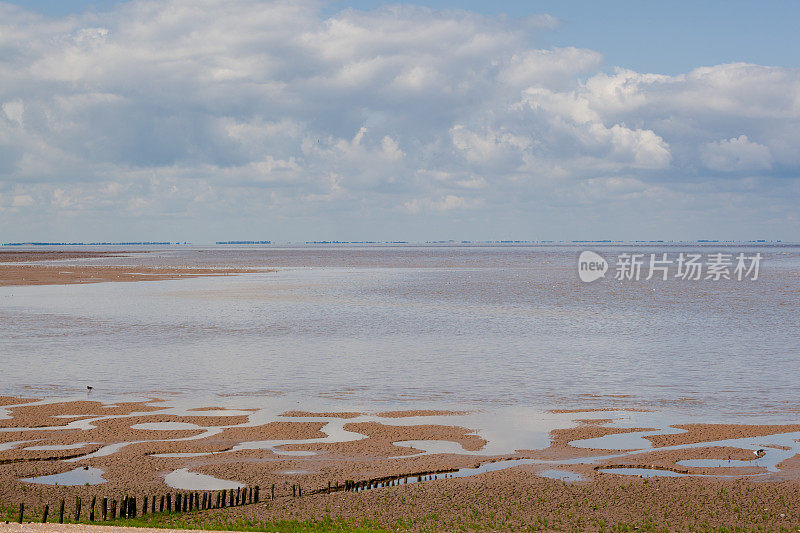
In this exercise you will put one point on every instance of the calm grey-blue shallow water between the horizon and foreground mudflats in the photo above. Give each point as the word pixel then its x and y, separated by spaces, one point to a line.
pixel 446 325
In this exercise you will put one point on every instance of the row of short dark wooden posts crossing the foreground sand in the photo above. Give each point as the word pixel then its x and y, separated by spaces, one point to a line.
pixel 200 501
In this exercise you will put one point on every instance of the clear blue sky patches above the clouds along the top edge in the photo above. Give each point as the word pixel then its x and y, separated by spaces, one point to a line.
pixel 647 36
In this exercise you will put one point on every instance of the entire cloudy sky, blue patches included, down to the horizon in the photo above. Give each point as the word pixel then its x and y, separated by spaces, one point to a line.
pixel 207 120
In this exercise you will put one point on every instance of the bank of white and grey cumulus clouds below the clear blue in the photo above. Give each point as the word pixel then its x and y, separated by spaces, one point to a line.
pixel 245 110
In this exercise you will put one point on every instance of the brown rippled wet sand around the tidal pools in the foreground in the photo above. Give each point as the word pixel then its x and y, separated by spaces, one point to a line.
pixel 513 498
